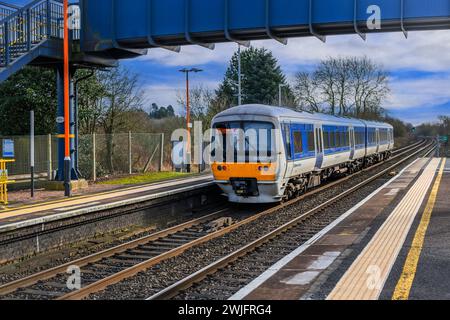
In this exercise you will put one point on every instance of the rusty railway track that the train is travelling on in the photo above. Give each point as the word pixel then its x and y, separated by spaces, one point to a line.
pixel 113 265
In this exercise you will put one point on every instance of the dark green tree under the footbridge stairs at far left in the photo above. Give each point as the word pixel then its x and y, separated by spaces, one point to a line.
pixel 30 89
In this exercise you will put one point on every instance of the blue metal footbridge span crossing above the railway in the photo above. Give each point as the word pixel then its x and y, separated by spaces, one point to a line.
pixel 204 22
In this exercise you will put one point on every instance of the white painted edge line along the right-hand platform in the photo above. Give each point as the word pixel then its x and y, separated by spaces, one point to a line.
pixel 241 294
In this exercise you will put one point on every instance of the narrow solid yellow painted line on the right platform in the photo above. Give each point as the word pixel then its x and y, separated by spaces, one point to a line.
pixel 404 285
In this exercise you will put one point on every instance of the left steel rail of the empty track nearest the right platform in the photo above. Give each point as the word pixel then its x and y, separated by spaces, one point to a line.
pixel 187 282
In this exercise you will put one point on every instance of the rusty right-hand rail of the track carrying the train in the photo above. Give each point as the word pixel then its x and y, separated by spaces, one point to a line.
pixel 132 271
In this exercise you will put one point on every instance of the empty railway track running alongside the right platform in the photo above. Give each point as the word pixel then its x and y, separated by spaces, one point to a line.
pixel 224 277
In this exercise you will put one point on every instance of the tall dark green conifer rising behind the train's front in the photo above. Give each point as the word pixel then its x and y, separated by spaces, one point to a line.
pixel 261 77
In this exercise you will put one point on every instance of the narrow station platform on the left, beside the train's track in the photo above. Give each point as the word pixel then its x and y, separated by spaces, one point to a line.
pixel 44 212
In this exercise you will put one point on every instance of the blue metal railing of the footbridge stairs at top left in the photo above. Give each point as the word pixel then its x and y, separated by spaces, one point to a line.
pixel 26 27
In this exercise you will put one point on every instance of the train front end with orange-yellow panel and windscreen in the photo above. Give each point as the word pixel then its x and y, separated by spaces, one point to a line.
pixel 247 163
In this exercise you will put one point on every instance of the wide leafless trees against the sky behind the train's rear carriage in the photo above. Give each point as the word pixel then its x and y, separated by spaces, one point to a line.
pixel 344 86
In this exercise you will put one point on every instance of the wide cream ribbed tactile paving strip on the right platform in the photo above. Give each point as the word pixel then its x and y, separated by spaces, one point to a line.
pixel 366 277
